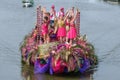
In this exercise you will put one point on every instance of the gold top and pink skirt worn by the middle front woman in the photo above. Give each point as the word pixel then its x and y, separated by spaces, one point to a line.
pixel 61 29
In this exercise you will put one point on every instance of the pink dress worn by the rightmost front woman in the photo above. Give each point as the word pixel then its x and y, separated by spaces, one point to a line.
pixel 72 32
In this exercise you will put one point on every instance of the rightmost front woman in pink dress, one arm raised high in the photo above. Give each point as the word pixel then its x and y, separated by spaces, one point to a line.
pixel 72 33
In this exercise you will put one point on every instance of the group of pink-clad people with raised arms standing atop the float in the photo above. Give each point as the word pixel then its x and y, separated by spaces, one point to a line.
pixel 58 25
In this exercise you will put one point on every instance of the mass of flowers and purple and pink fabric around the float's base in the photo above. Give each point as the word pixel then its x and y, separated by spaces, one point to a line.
pixel 60 57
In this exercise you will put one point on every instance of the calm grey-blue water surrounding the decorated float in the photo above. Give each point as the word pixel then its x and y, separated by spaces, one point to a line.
pixel 100 21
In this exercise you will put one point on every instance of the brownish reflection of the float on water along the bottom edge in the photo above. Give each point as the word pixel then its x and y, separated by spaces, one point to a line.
pixel 27 74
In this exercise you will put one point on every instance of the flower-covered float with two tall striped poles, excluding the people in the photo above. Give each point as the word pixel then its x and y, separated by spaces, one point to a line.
pixel 56 57
